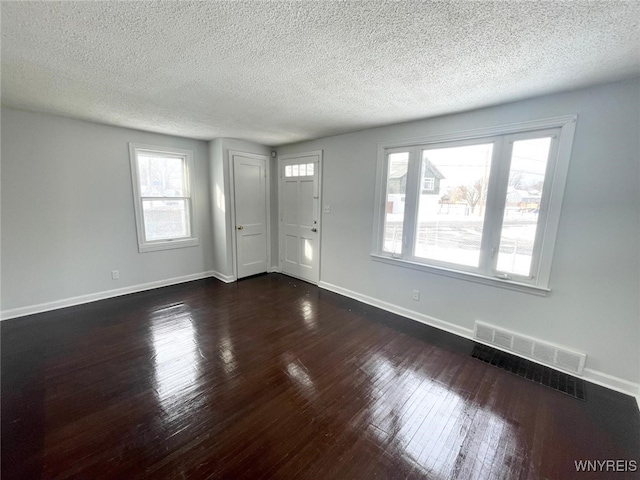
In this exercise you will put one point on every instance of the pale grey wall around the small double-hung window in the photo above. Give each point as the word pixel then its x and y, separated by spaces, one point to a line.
pixel 67 211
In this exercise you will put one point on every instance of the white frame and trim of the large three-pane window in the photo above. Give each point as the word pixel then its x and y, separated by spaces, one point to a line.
pixel 566 124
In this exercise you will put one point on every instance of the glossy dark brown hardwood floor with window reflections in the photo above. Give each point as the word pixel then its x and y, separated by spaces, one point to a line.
pixel 275 378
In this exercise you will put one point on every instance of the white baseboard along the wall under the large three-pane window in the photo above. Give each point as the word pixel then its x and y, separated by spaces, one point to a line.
pixel 593 376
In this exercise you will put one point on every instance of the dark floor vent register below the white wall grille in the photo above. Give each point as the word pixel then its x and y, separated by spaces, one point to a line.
pixel 563 382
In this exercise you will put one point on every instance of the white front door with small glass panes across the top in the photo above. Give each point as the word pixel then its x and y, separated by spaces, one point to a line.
pixel 300 215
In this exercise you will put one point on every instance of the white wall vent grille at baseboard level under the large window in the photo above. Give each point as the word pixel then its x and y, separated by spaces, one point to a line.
pixel 552 355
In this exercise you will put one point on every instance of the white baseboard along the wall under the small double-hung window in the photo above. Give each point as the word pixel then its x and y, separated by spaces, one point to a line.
pixel 92 297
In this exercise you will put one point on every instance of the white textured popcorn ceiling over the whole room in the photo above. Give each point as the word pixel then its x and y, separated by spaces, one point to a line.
pixel 278 72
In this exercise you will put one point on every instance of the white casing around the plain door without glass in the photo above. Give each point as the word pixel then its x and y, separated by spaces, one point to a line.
pixel 232 205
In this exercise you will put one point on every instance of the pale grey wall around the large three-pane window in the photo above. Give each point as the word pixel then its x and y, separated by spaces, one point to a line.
pixel 595 280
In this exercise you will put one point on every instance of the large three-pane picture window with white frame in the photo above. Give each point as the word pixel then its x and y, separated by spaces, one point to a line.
pixel 483 205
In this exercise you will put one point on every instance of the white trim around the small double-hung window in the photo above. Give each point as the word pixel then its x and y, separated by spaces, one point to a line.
pixel 165 244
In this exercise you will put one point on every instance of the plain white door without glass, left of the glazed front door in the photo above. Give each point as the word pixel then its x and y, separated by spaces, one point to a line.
pixel 251 207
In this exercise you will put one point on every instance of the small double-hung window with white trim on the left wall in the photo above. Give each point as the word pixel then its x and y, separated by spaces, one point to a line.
pixel 163 195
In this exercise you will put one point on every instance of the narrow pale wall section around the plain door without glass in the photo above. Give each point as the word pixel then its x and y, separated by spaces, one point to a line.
pixel 221 201
